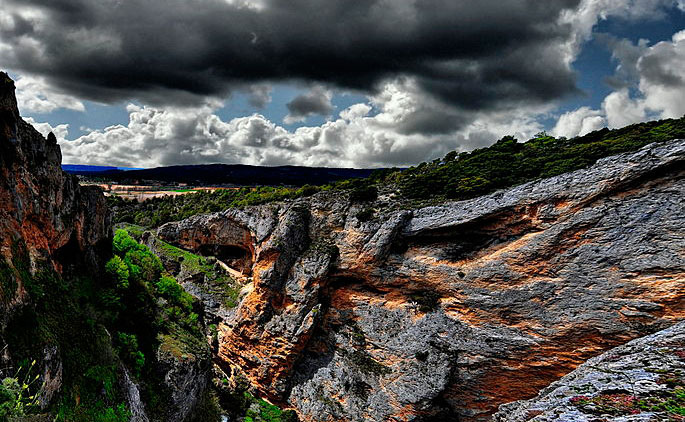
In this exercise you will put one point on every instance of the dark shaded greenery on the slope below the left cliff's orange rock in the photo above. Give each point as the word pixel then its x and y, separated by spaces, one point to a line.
pixel 64 323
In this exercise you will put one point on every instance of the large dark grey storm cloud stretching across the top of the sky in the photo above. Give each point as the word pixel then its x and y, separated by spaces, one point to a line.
pixel 471 55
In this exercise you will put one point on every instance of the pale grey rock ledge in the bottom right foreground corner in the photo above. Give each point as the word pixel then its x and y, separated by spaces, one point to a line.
pixel 643 380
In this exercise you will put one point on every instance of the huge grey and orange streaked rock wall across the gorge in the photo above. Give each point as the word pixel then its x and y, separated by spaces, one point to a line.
pixel 446 312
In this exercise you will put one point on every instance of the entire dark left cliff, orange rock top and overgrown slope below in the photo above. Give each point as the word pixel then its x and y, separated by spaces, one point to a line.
pixel 87 350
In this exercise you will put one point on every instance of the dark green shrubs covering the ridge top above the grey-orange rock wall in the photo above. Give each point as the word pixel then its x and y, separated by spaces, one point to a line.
pixel 509 162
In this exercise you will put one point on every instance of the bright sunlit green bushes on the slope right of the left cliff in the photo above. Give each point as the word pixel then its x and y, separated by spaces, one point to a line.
pixel 148 308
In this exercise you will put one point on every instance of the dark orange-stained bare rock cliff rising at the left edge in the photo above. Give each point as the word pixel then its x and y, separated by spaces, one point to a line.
pixel 43 210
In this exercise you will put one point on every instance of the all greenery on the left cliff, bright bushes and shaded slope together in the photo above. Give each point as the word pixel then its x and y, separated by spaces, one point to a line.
pixel 133 317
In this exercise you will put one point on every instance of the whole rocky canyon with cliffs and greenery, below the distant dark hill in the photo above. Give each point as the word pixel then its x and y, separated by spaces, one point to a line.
pixel 522 281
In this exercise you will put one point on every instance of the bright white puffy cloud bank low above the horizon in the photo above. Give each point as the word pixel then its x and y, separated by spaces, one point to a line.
pixel 357 138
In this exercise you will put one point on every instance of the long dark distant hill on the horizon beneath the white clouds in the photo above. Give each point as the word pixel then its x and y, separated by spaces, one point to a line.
pixel 225 174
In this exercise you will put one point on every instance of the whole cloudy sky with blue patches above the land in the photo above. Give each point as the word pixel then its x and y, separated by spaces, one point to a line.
pixel 338 83
